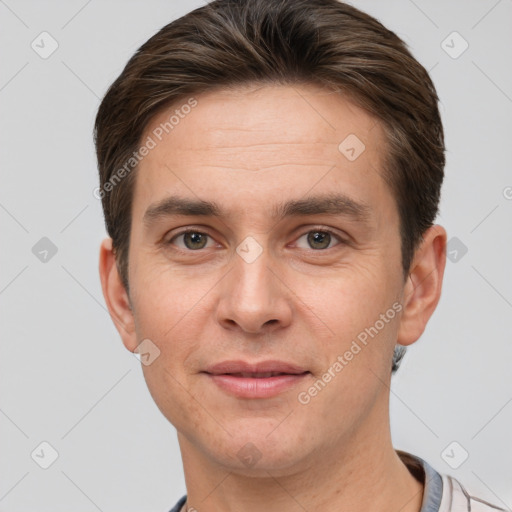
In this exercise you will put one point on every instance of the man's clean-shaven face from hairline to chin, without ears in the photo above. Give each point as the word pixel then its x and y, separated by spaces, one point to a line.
pixel 271 275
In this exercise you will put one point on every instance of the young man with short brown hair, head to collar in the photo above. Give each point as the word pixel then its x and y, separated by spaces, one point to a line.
pixel 270 175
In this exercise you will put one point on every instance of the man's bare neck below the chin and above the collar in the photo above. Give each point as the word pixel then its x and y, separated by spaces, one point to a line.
pixel 359 472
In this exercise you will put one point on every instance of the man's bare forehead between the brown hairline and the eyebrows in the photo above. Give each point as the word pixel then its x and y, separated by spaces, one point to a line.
pixel 262 143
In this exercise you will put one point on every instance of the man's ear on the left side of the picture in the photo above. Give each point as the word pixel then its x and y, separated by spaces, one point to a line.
pixel 117 299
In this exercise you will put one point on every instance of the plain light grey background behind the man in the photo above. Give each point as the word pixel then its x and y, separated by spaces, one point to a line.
pixel 65 377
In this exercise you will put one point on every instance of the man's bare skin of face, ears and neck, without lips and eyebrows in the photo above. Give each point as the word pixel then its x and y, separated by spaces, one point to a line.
pixel 248 149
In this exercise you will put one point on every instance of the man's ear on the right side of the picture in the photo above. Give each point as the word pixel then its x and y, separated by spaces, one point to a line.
pixel 423 288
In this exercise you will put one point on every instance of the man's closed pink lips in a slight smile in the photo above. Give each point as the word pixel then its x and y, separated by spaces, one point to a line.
pixel 259 380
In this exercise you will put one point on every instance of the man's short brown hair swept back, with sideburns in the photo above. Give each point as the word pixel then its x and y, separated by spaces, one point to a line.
pixel 228 43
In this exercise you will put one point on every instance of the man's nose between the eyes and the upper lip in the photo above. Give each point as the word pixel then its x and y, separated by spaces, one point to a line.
pixel 253 298
